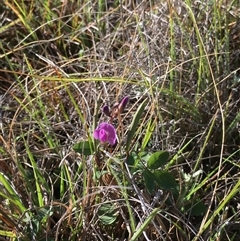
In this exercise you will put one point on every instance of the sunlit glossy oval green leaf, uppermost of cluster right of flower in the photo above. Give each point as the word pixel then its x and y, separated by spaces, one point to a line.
pixel 158 159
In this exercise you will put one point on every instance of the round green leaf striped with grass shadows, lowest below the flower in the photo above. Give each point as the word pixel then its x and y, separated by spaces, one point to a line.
pixel 107 214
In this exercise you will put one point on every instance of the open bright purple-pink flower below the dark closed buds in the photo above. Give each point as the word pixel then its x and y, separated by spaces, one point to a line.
pixel 105 133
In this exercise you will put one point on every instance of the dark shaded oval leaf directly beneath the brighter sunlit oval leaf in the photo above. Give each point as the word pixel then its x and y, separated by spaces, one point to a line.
pixel 165 180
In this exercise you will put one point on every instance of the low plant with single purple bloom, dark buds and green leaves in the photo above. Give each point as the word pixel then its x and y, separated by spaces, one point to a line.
pixel 149 167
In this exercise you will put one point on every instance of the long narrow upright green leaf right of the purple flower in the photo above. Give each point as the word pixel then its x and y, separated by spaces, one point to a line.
pixel 134 124
